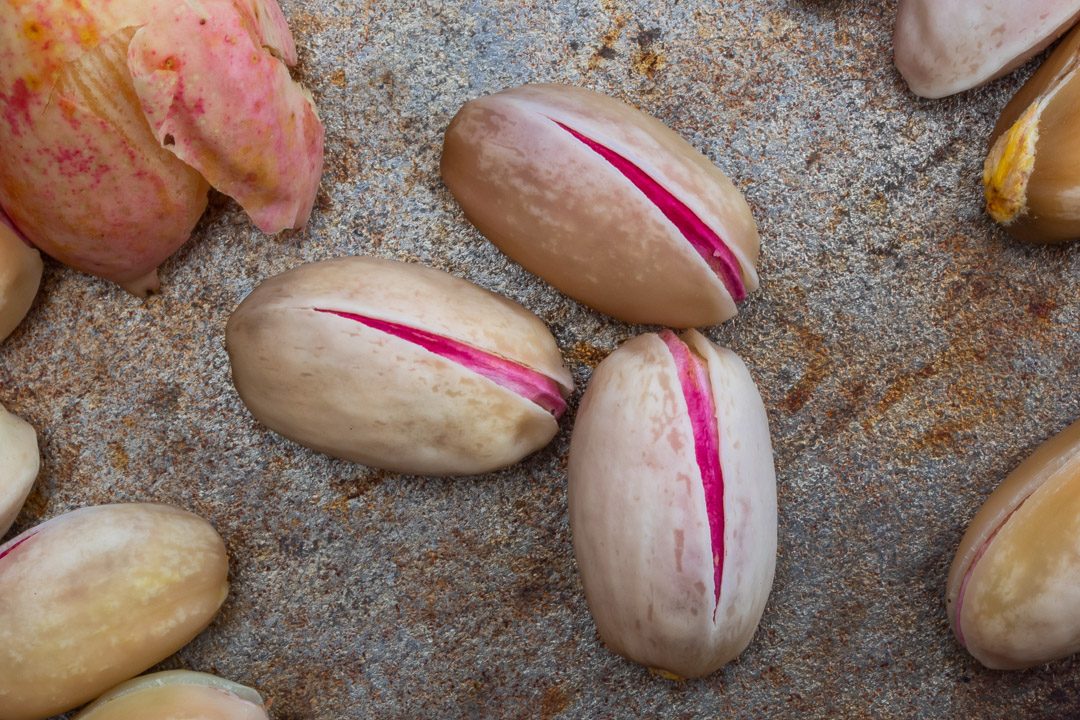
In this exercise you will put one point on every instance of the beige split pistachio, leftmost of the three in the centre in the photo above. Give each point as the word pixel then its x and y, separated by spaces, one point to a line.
pixel 398 366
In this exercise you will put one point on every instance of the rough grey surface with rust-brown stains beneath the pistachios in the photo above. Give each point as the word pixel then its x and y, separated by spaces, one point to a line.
pixel 909 354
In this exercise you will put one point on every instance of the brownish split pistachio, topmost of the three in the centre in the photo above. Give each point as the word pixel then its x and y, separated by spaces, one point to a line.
pixel 605 203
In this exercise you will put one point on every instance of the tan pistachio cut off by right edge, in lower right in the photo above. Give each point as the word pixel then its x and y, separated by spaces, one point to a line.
pixel 1015 587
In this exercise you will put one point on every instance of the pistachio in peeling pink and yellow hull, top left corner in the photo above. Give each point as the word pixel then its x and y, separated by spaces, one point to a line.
pixel 117 118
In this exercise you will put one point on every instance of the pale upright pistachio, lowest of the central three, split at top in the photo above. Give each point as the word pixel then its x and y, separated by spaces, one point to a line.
pixel 673 504
